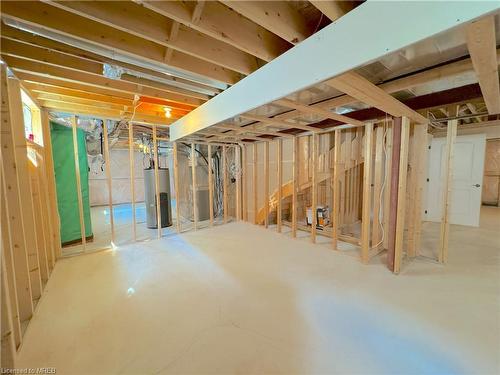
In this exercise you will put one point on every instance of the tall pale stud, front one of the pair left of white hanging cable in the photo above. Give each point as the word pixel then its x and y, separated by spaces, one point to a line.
pixel 367 180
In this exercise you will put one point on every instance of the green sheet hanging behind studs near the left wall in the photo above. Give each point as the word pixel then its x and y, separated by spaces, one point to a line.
pixel 64 168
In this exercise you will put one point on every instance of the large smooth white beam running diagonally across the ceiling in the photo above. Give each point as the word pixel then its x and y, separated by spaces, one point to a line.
pixel 312 62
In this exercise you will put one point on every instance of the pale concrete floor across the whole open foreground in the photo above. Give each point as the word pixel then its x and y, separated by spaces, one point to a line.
pixel 239 298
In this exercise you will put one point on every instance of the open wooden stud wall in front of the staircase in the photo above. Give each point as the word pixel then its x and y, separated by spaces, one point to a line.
pixel 350 171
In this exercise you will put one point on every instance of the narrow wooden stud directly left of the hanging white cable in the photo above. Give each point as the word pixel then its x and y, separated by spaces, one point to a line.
pixel 377 184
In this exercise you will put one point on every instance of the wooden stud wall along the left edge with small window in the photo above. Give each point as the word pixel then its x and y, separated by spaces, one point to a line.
pixel 30 243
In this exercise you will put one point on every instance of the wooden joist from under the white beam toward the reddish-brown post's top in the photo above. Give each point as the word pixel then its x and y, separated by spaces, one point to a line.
pixel 360 88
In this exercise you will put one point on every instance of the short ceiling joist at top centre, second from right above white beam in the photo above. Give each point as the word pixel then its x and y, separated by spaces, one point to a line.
pixel 279 17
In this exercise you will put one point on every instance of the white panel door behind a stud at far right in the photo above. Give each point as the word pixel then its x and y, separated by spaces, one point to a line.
pixel 468 164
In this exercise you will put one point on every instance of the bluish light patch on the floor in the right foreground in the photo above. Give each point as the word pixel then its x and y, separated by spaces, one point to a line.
pixel 384 342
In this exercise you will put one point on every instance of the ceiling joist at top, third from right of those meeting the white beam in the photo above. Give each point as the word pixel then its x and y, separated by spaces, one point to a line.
pixel 222 23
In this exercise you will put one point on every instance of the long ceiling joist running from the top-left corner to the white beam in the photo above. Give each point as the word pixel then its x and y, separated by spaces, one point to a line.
pixel 49 17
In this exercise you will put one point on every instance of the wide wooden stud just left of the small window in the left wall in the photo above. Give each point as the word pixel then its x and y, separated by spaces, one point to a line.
pixel 12 223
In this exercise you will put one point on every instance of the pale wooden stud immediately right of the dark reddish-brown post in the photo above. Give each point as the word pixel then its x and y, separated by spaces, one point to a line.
pixel 421 151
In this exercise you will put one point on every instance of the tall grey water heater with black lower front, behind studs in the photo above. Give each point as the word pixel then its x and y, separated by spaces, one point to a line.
pixel 150 197
